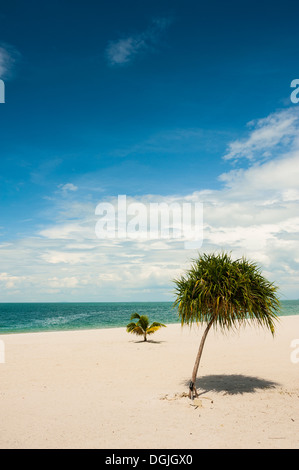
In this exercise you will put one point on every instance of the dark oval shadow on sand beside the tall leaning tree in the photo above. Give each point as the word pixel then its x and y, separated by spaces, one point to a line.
pixel 232 384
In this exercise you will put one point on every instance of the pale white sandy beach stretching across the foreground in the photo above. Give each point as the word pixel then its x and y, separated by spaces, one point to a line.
pixel 106 389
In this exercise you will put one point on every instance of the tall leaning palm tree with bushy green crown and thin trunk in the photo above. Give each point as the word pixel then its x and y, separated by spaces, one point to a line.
pixel 221 292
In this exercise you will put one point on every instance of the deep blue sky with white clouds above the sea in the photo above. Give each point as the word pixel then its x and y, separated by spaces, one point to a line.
pixel 172 99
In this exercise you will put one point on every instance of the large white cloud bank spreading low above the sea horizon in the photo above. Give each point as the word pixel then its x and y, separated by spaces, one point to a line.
pixel 254 213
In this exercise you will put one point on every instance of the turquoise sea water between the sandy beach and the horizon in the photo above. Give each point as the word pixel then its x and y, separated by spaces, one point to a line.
pixel 32 317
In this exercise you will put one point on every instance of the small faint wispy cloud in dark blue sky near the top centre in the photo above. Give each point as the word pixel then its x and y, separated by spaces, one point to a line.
pixel 124 50
